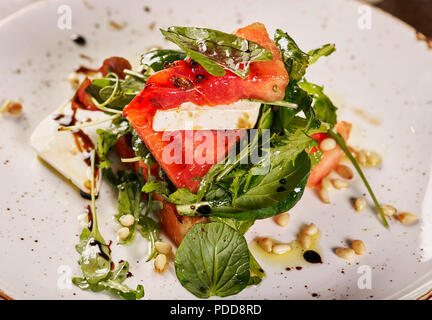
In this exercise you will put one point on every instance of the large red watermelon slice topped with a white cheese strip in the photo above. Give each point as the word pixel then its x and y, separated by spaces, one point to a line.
pixel 186 81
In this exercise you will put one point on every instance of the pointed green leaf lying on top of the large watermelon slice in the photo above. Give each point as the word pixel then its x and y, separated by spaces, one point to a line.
pixel 216 50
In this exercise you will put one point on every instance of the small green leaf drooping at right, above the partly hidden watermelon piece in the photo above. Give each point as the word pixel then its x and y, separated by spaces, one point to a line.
pixel 323 106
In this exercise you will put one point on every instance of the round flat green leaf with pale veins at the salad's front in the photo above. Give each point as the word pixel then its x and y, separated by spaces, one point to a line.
pixel 213 260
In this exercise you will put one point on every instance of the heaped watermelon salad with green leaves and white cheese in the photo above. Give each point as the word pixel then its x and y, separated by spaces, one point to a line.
pixel 200 143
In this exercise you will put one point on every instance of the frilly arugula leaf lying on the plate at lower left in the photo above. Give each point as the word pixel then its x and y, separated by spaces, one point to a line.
pixel 113 283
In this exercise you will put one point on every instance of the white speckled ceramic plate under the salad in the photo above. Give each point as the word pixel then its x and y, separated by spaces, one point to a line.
pixel 383 71
